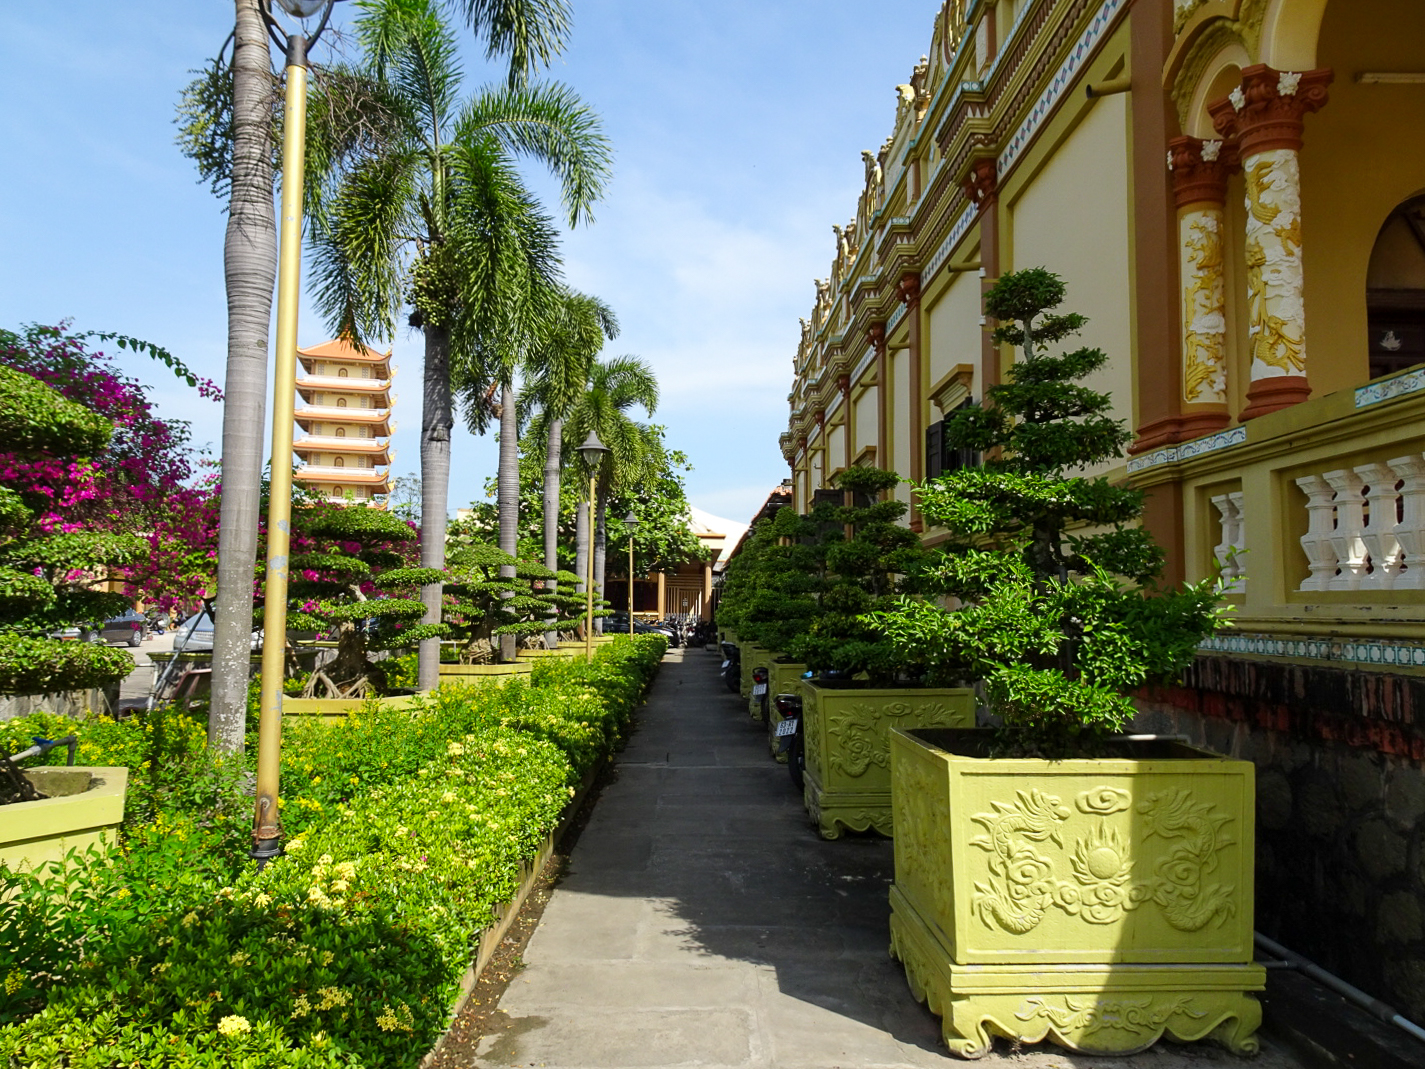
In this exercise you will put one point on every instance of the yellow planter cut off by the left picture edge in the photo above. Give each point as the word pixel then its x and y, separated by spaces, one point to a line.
pixel 85 809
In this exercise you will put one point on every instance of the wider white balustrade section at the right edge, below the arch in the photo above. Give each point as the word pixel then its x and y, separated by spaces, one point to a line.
pixel 1366 527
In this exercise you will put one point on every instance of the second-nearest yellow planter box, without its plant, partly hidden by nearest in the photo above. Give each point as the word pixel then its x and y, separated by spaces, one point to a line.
pixel 847 733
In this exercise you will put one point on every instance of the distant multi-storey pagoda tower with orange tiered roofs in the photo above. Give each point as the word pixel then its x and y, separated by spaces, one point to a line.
pixel 344 414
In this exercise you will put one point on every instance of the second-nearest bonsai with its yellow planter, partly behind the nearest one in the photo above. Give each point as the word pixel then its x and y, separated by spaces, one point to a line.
pixel 864 685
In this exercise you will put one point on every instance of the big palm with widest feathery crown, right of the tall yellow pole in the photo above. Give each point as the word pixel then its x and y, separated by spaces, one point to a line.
pixel 432 209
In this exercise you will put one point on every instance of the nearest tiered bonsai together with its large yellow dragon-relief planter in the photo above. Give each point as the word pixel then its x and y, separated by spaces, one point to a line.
pixel 1055 879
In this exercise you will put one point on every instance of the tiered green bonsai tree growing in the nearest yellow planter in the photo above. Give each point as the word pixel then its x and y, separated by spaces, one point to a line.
pixel 1048 577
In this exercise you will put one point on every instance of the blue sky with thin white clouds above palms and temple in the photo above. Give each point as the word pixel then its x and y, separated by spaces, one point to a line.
pixel 737 128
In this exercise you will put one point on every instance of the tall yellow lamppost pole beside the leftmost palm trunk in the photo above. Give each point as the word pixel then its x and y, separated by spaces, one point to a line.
pixel 267 827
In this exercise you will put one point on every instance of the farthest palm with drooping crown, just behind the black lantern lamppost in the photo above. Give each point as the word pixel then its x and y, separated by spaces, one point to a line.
pixel 635 450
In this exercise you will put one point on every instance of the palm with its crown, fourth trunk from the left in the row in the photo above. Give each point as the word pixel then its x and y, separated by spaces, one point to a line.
pixel 559 368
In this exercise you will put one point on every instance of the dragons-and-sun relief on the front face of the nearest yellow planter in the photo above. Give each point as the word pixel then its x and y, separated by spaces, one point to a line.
pixel 1024 887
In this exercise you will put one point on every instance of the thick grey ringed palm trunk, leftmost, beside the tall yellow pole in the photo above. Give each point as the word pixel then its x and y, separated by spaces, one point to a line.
pixel 250 276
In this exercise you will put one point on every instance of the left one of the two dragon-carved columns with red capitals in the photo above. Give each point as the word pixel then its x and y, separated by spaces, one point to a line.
pixel 1201 172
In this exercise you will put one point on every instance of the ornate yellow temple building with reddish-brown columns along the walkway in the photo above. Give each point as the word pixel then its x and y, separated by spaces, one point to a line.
pixel 1235 196
